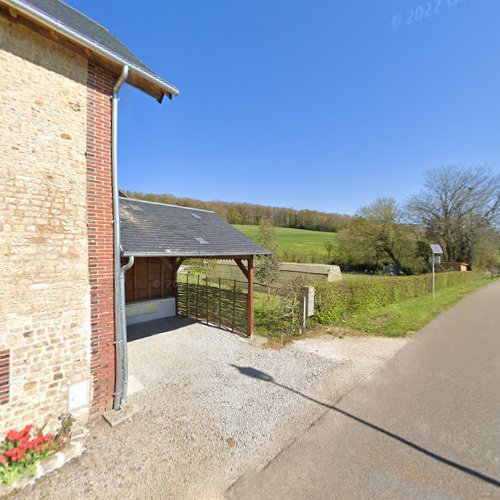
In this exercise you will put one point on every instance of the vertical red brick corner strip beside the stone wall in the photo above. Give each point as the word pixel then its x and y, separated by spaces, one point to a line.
pixel 100 233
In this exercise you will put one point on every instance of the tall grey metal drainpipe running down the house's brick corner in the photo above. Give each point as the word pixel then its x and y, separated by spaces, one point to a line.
pixel 120 326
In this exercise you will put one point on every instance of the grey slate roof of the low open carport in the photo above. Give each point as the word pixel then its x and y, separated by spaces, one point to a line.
pixel 156 229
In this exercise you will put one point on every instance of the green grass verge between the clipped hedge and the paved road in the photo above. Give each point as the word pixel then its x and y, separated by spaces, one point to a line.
pixel 409 316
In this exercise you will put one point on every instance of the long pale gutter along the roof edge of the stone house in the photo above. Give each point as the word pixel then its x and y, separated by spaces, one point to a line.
pixel 52 24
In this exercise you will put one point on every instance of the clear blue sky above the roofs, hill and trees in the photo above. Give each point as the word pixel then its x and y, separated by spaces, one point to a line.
pixel 320 104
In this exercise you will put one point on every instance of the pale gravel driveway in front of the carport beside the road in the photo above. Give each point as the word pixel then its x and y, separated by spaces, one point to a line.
pixel 213 408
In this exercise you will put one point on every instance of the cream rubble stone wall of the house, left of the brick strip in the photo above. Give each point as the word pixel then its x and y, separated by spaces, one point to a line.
pixel 44 277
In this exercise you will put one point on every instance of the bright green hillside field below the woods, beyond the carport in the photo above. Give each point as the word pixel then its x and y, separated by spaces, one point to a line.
pixel 296 245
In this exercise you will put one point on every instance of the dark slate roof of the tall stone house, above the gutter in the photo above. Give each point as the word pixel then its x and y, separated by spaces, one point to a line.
pixel 91 30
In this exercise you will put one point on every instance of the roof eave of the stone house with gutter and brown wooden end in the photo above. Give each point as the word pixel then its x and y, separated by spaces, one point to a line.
pixel 156 88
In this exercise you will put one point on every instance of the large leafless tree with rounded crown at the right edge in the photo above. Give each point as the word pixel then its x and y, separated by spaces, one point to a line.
pixel 455 205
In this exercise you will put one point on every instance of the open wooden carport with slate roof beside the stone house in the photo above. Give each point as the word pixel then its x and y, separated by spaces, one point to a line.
pixel 157 238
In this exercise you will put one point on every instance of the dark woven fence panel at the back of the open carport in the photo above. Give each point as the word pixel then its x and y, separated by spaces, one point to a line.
pixel 214 301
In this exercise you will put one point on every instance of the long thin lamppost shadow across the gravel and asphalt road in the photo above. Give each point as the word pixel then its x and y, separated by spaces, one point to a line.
pixel 259 375
